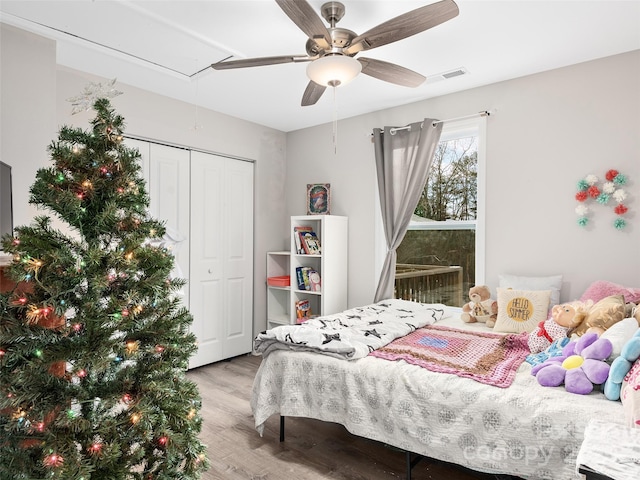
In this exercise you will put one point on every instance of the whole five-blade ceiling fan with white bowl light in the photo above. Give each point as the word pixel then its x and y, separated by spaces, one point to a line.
pixel 338 45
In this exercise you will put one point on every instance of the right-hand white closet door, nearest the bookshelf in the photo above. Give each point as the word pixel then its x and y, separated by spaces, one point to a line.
pixel 221 269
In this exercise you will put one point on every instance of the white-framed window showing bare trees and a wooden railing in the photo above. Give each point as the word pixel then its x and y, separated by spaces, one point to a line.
pixel 442 254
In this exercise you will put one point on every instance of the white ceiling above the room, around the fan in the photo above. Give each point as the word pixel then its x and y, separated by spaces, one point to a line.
pixel 167 46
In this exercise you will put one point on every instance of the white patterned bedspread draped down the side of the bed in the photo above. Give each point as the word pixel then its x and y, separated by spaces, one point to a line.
pixel 524 430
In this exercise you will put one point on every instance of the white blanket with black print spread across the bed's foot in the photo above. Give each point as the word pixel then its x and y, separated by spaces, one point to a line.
pixel 353 333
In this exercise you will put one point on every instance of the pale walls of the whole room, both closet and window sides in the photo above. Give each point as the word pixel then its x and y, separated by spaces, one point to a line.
pixel 549 130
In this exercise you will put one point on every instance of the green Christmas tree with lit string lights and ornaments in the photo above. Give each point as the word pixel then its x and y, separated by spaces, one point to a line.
pixel 94 342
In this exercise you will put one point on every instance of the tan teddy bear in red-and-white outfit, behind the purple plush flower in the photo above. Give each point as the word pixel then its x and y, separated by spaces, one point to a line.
pixel 563 318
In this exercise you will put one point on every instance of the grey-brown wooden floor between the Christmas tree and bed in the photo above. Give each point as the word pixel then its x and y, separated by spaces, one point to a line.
pixel 312 449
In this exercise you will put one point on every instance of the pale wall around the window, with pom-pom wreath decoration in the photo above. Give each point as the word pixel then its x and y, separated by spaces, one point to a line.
pixel 549 130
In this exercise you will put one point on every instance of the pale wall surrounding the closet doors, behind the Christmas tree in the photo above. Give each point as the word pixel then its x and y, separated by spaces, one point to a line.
pixel 34 105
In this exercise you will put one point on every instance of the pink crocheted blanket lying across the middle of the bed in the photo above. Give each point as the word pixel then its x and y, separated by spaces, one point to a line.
pixel 489 358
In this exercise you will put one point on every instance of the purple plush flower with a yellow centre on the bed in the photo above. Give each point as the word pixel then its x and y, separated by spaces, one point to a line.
pixel 580 366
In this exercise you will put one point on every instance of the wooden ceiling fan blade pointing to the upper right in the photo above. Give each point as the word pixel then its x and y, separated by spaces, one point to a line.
pixel 404 26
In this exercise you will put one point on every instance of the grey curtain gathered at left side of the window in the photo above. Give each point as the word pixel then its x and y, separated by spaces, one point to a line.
pixel 403 160
